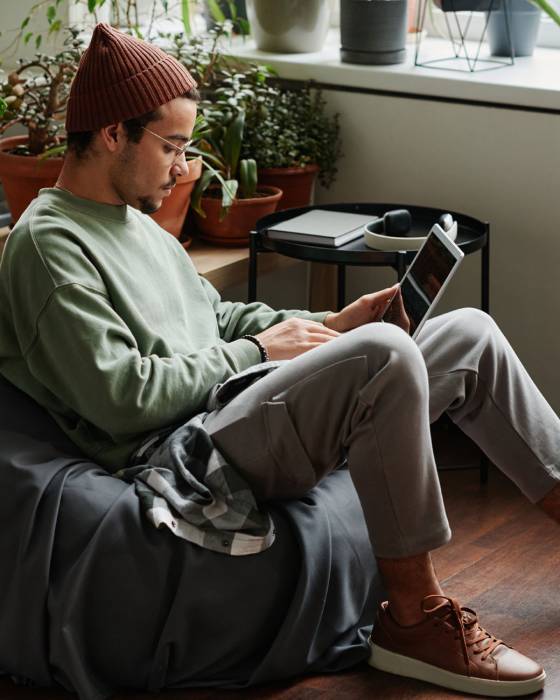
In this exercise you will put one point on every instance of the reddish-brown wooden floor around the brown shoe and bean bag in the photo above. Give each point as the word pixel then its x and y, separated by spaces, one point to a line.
pixel 504 562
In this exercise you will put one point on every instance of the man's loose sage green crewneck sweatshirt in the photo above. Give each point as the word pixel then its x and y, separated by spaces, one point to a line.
pixel 105 322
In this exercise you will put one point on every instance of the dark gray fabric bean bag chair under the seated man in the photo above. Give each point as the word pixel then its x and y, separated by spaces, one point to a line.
pixel 94 598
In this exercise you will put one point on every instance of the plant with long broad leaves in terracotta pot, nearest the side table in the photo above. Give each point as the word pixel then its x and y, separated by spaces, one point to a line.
pixel 227 200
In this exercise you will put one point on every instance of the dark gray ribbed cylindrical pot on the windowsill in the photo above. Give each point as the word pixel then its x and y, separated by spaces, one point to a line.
pixel 373 31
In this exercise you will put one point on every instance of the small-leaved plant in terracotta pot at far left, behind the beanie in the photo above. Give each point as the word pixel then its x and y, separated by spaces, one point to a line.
pixel 34 96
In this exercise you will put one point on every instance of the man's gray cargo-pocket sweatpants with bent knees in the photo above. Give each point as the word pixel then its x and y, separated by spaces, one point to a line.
pixel 370 395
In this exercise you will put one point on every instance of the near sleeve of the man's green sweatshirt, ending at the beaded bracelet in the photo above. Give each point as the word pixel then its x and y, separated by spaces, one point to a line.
pixel 86 355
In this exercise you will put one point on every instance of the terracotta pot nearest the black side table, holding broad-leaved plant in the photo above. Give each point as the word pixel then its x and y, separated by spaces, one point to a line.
pixel 240 220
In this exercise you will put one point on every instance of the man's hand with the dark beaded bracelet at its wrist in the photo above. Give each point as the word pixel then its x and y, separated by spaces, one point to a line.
pixel 293 337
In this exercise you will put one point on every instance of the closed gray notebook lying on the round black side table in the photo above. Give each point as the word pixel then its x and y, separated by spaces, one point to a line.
pixel 321 227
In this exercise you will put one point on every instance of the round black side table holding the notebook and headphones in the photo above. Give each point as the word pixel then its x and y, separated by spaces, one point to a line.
pixel 472 235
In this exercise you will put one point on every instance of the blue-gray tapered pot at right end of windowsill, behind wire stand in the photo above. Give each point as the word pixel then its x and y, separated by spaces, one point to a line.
pixel 524 26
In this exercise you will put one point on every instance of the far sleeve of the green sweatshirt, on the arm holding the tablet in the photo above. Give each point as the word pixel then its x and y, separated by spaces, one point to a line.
pixel 236 319
